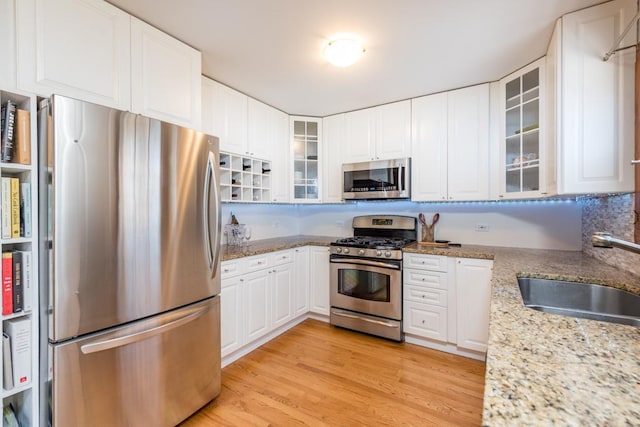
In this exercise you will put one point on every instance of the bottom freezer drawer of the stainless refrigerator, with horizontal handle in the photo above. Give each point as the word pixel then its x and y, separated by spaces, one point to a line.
pixel 155 372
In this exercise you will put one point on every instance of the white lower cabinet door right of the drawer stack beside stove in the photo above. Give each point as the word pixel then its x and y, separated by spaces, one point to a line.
pixel 473 288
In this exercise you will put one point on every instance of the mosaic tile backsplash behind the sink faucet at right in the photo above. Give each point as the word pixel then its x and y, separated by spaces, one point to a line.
pixel 613 214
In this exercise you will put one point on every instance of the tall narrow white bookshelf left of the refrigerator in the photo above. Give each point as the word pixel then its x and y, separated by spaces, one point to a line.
pixel 24 397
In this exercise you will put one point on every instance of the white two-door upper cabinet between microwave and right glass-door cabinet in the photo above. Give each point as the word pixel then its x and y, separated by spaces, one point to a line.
pixel 450 148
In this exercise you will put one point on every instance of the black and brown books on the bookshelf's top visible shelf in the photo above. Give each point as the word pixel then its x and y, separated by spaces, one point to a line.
pixel 15 134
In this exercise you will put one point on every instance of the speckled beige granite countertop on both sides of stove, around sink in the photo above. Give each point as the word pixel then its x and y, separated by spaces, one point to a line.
pixel 542 369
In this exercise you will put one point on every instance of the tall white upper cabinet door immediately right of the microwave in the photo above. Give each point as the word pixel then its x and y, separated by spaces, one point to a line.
pixel 429 148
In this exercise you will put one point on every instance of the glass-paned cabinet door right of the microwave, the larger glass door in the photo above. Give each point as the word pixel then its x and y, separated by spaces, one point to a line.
pixel 522 133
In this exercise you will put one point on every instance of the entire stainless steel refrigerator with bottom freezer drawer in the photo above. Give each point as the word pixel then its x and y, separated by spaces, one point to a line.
pixel 129 267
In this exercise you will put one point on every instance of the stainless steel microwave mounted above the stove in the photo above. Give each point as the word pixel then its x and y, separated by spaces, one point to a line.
pixel 379 179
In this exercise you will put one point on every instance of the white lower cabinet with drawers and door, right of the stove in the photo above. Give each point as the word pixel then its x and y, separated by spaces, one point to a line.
pixel 446 303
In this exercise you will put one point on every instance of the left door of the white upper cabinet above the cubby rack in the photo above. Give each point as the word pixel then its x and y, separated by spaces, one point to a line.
pixel 224 114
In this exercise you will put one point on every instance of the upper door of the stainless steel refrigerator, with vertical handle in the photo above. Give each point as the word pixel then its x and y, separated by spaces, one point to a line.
pixel 133 217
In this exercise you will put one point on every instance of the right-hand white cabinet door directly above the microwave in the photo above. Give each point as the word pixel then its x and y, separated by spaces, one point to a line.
pixel 393 130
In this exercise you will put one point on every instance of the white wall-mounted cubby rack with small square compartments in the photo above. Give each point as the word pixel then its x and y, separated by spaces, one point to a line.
pixel 244 179
